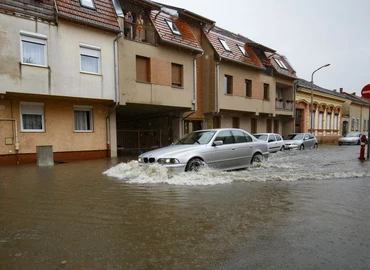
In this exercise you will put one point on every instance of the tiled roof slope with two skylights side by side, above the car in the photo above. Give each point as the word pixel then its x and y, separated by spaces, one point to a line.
pixel 235 54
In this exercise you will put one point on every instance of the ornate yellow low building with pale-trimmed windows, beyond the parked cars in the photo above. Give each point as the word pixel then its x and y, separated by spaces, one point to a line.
pixel 327 113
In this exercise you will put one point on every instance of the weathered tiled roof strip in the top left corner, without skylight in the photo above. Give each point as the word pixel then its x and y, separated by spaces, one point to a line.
pixel 39 9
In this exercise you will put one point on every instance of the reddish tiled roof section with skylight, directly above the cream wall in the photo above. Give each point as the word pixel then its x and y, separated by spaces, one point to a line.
pixel 103 16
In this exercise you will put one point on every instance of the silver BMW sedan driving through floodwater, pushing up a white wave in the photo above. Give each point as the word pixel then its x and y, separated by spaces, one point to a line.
pixel 224 149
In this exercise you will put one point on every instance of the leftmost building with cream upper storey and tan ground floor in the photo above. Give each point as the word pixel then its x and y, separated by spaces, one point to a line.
pixel 57 79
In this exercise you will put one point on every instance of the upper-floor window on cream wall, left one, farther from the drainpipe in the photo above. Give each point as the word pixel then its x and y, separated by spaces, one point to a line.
pixel 33 47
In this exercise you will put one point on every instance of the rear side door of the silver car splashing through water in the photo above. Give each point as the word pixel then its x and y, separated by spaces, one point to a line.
pixel 243 148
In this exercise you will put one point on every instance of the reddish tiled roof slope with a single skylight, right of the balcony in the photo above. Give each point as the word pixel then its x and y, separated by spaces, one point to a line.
pixel 187 38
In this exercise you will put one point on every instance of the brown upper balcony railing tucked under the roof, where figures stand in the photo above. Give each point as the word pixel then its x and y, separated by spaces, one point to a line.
pixel 145 34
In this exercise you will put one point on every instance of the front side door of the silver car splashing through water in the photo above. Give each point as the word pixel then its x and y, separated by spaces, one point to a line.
pixel 223 156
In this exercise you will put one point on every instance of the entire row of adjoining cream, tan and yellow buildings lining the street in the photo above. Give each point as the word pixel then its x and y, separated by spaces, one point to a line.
pixel 76 76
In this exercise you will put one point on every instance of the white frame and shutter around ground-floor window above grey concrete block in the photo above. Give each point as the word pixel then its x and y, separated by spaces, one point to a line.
pixel 35 108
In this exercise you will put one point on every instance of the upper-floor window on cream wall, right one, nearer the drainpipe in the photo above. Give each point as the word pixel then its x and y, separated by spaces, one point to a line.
pixel 90 58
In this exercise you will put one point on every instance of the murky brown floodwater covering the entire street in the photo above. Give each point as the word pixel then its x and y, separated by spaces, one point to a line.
pixel 298 210
